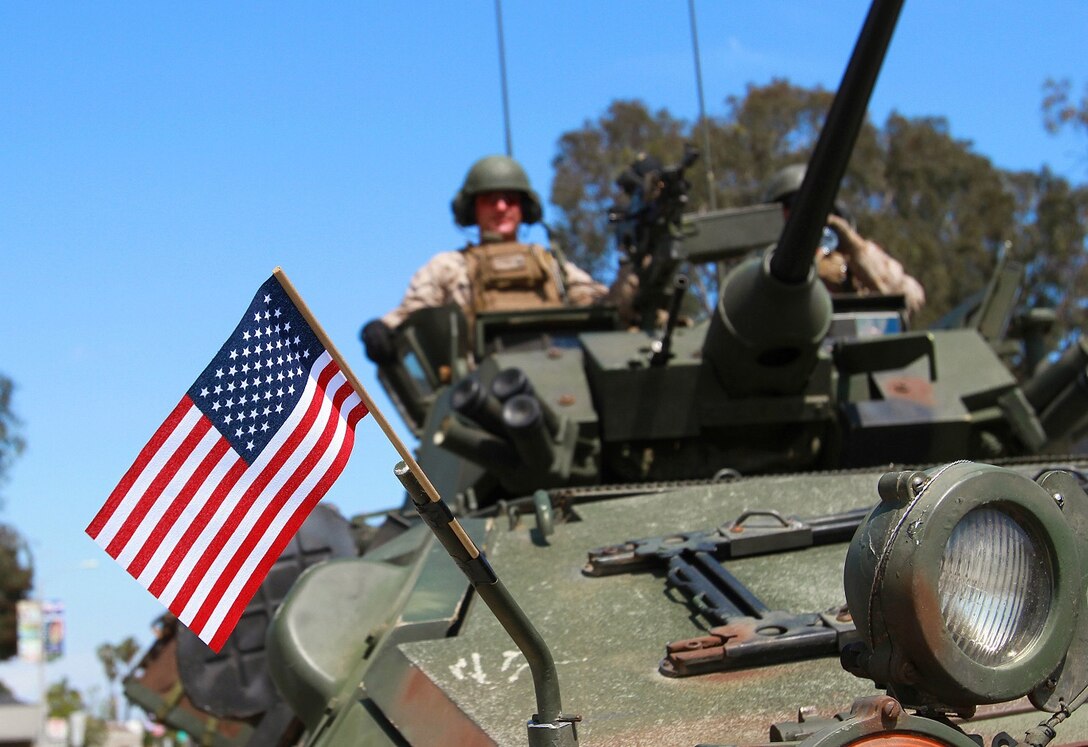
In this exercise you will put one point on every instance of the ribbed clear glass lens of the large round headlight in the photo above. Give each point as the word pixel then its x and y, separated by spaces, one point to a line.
pixel 996 587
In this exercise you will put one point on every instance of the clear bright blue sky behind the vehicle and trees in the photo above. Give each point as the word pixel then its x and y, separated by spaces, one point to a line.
pixel 158 160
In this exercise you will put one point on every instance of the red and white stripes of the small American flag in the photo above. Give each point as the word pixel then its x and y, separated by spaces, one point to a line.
pixel 200 529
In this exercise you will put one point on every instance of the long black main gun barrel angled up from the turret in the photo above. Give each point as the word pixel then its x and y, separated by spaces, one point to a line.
pixel 794 258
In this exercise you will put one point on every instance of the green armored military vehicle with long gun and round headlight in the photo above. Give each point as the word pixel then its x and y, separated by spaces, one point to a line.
pixel 797 521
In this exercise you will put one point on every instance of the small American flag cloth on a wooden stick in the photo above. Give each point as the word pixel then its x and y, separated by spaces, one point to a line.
pixel 229 478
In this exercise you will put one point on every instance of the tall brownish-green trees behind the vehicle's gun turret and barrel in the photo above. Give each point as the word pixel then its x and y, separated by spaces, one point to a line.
pixel 945 211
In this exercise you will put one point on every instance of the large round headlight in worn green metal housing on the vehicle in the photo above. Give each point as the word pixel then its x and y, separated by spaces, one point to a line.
pixel 967 584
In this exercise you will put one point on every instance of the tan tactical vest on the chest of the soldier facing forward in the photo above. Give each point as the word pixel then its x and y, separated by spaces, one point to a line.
pixel 512 277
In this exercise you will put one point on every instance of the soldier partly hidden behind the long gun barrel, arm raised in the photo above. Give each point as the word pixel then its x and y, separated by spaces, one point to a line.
pixel 856 265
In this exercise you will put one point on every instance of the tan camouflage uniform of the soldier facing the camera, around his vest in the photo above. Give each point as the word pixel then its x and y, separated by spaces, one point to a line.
pixel 447 279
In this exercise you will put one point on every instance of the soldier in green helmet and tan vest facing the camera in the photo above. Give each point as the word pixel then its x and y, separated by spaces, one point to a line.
pixel 499 273
